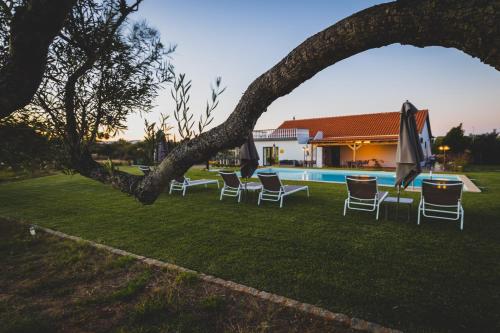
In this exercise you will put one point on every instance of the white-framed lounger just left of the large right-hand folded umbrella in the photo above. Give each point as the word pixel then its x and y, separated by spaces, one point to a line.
pixel 363 194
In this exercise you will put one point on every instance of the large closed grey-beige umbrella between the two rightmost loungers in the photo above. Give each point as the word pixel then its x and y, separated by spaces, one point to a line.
pixel 409 154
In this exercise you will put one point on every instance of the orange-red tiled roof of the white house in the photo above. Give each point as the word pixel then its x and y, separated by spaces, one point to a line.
pixel 364 126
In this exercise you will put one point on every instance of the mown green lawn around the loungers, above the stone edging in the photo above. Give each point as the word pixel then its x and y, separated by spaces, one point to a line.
pixel 427 278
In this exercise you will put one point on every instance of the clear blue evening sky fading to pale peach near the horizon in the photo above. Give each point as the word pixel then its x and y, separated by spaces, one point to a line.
pixel 239 40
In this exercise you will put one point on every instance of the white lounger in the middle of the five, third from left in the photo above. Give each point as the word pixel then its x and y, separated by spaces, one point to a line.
pixel 274 190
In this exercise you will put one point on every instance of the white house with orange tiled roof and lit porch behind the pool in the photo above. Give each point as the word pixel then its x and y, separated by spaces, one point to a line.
pixel 362 140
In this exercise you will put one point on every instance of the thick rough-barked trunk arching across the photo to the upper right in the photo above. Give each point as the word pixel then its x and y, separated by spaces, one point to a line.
pixel 472 26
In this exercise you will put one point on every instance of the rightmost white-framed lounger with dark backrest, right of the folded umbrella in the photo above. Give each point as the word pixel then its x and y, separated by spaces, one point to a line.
pixel 442 199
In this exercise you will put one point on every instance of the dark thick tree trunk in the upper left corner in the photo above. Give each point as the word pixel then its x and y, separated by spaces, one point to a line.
pixel 33 28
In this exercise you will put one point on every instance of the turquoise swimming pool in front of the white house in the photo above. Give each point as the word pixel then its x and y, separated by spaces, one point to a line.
pixel 384 178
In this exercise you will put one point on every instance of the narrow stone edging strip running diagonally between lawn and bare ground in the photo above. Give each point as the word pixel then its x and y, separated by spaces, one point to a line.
pixel 342 319
